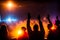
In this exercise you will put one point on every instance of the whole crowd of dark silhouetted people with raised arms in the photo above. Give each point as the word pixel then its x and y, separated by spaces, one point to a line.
pixel 34 35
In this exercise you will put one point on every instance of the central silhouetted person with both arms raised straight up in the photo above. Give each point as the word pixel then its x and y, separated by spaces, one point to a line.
pixel 35 35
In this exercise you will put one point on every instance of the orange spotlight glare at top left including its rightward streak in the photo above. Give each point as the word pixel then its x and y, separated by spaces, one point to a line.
pixel 11 5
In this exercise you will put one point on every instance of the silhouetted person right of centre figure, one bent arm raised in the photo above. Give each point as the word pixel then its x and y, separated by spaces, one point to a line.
pixel 51 35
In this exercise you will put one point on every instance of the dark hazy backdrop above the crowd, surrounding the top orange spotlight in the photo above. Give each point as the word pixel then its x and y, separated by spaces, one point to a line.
pixel 35 7
